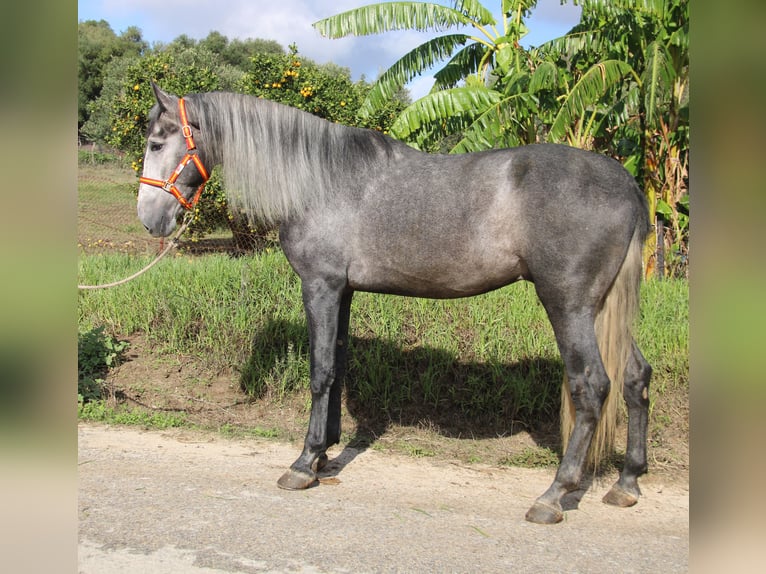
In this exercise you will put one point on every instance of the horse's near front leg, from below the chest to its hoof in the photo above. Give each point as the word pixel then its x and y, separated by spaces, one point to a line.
pixel 322 303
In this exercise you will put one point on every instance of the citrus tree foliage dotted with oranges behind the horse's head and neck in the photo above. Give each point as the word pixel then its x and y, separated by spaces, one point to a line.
pixel 257 67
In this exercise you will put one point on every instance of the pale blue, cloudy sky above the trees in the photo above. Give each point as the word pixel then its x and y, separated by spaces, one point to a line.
pixel 290 21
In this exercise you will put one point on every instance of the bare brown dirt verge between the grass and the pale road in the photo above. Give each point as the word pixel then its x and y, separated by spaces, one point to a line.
pixel 162 384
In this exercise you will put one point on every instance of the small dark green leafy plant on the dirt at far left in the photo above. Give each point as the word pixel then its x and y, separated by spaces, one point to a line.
pixel 97 352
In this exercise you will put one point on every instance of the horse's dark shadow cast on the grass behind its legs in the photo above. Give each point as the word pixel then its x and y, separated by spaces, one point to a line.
pixel 423 387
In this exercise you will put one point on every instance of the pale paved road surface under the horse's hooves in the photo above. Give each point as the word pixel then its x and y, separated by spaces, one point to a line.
pixel 192 503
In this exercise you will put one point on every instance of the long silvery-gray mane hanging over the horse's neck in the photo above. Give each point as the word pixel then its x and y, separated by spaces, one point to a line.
pixel 278 160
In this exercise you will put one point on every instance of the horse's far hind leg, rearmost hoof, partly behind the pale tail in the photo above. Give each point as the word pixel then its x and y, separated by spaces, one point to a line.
pixel 625 491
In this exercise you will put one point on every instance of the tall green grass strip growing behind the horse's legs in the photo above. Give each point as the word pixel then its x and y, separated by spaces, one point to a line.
pixel 487 359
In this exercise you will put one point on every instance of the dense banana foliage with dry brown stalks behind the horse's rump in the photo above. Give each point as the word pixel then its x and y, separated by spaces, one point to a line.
pixel 644 119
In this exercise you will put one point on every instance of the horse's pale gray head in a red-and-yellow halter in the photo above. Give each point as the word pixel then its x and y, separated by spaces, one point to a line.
pixel 167 184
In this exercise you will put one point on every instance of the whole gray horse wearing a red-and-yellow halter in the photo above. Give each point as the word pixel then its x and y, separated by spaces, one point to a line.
pixel 359 211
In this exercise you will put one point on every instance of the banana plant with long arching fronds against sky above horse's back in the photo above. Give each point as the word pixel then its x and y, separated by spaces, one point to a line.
pixel 466 98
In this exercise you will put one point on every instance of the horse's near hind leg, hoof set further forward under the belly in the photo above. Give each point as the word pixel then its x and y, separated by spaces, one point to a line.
pixel 589 386
